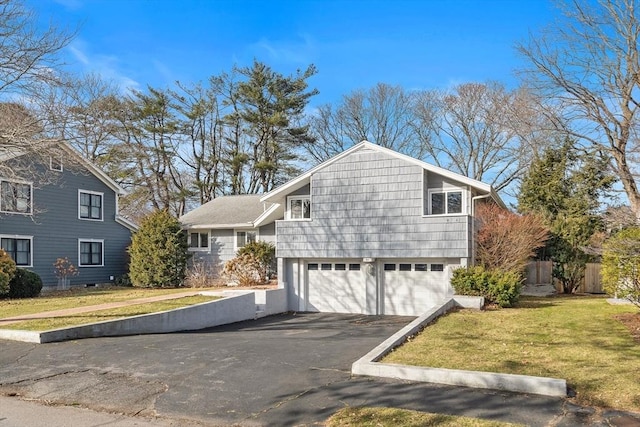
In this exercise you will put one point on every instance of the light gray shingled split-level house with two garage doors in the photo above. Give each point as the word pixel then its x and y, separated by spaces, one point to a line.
pixel 368 231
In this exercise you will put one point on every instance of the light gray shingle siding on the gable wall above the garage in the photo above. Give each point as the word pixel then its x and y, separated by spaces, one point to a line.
pixel 370 204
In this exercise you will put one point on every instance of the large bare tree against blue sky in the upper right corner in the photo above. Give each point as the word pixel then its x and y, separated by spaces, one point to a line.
pixel 588 66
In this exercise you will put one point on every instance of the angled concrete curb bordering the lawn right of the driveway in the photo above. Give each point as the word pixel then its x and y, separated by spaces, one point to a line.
pixel 369 365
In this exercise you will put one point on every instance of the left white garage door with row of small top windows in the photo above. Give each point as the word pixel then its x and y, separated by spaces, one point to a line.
pixel 336 287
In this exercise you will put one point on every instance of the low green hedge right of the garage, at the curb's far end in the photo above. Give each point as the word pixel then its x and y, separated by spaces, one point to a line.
pixel 499 287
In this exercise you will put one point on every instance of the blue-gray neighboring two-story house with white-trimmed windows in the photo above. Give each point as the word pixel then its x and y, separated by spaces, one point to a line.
pixel 74 216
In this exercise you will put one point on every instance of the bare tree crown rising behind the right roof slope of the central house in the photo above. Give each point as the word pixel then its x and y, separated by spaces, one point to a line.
pixel 476 129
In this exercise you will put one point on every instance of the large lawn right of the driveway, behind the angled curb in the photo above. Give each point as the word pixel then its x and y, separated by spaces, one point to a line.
pixel 575 338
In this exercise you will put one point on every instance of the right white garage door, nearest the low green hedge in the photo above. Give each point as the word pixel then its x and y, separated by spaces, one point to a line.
pixel 410 288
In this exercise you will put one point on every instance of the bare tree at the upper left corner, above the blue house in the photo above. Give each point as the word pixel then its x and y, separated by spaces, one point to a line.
pixel 28 63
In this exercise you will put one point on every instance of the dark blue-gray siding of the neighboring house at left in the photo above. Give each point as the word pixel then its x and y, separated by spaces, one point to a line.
pixel 56 228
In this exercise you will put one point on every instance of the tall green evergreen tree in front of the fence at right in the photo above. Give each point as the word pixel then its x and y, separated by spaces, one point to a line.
pixel 566 186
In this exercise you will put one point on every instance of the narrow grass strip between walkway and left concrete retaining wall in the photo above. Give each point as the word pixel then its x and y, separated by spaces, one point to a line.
pixel 110 314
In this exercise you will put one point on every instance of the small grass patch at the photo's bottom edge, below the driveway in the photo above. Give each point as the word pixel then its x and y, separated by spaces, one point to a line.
pixel 377 417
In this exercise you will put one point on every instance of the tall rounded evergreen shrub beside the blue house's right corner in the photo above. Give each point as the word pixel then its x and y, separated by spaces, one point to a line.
pixel 158 252
